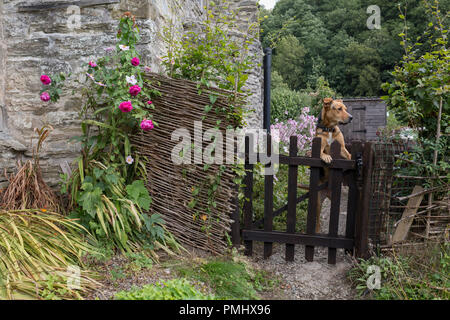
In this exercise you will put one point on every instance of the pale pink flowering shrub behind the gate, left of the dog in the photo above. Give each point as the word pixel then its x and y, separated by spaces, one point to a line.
pixel 303 127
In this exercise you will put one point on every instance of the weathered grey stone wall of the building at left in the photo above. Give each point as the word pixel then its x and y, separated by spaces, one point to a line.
pixel 35 38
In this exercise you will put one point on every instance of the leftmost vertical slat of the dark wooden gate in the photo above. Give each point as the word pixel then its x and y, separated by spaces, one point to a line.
pixel 248 194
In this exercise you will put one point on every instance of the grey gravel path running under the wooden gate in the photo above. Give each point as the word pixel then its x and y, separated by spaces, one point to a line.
pixel 315 280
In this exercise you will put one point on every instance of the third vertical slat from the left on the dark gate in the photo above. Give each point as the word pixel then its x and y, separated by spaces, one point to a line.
pixel 292 198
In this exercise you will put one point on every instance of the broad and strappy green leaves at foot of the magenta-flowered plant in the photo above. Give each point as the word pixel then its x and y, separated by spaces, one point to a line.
pixel 113 210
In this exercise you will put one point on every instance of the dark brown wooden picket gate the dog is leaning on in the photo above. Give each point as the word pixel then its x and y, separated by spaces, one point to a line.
pixel 356 172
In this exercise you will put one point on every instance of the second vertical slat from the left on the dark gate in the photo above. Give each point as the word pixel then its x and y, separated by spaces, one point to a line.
pixel 268 200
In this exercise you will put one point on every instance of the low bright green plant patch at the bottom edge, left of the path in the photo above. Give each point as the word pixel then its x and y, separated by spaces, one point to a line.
pixel 175 289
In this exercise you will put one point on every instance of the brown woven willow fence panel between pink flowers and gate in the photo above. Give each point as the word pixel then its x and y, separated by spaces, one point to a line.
pixel 171 185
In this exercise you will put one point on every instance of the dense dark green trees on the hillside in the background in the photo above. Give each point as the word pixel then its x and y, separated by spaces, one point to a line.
pixel 337 43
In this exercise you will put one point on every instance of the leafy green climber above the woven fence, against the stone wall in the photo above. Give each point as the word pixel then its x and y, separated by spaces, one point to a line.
pixel 211 55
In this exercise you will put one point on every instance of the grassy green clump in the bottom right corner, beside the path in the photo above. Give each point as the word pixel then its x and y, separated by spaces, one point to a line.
pixel 418 275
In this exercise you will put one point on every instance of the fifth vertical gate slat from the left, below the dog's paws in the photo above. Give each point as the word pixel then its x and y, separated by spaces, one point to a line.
pixel 335 183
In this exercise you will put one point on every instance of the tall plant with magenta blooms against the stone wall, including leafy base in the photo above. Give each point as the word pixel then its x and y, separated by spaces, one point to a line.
pixel 106 193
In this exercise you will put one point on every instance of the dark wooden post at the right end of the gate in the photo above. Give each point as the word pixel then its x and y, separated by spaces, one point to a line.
pixel 362 219
